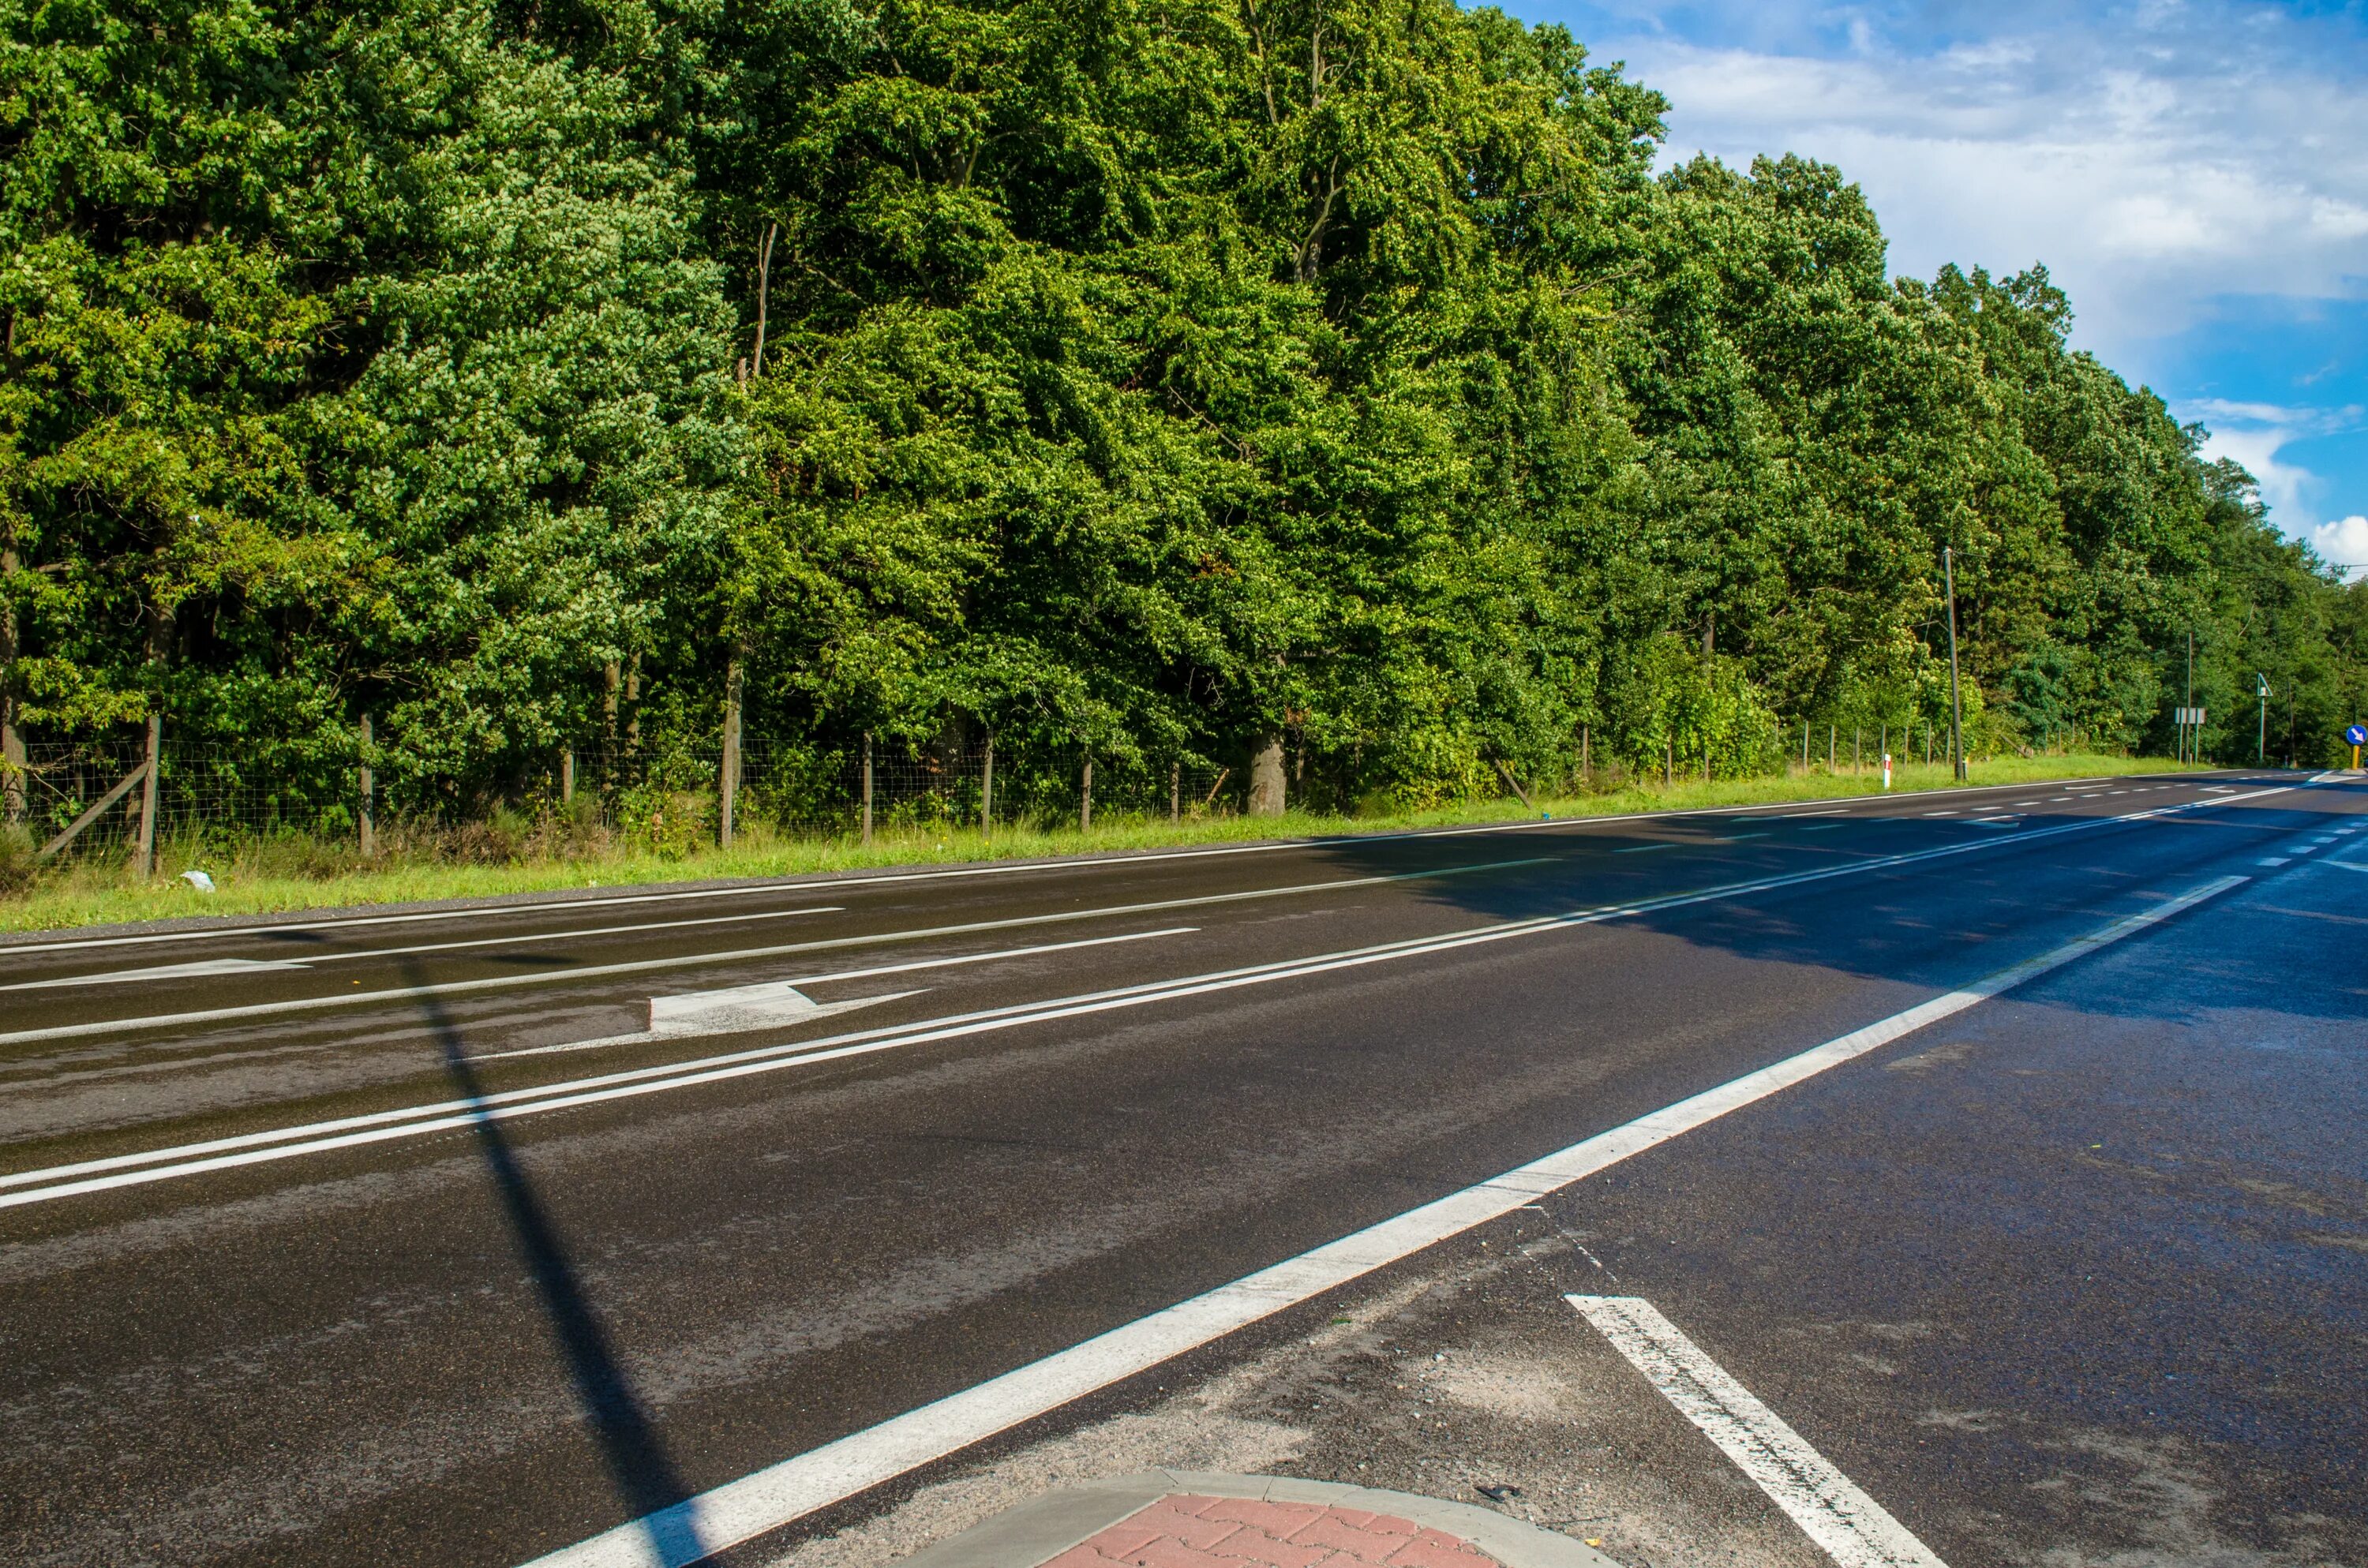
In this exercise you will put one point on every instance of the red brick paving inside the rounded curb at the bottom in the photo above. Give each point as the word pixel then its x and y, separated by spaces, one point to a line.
pixel 1244 1534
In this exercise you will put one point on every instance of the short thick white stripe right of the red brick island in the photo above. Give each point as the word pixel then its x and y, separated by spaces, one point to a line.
pixel 1851 1527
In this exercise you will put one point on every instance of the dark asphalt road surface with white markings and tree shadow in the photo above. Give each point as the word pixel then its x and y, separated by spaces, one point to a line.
pixel 406 1240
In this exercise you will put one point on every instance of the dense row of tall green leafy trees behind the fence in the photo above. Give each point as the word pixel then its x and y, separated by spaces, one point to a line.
pixel 1159 378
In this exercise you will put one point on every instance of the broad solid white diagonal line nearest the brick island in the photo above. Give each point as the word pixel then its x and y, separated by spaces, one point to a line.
pixel 835 1472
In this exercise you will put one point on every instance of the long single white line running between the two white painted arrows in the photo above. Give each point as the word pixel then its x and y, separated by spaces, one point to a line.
pixel 702 960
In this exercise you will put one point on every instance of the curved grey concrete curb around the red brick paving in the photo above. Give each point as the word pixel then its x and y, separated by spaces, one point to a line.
pixel 1053 1524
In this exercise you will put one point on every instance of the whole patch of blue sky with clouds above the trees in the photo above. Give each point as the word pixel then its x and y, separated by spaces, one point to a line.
pixel 2192 172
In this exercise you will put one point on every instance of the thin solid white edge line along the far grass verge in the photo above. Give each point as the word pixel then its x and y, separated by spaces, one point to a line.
pixel 1076 863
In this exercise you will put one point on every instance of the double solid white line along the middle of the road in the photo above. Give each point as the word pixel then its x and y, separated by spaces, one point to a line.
pixel 418 1122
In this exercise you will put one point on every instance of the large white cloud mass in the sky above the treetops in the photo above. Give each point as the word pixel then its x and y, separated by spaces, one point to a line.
pixel 2154 162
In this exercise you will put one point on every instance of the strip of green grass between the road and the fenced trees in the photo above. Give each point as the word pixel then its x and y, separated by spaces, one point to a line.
pixel 269 878
